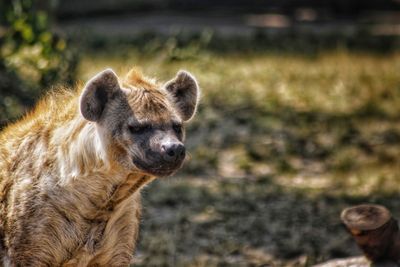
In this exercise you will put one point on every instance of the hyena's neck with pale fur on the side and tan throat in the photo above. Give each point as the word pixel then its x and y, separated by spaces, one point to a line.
pixel 86 169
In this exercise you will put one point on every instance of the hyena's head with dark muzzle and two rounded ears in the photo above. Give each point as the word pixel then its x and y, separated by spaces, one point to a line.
pixel 140 122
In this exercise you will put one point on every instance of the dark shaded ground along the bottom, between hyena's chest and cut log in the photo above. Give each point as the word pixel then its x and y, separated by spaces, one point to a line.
pixel 193 221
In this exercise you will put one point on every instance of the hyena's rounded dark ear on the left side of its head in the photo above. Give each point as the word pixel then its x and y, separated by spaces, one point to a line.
pixel 97 92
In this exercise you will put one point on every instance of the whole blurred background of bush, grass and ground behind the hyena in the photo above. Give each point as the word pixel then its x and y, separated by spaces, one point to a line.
pixel 299 115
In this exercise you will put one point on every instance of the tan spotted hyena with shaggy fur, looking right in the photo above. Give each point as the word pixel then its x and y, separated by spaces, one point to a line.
pixel 71 171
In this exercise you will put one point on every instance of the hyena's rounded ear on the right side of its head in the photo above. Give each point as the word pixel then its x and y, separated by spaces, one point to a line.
pixel 185 93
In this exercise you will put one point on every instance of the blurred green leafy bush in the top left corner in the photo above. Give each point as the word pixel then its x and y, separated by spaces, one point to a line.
pixel 31 56
